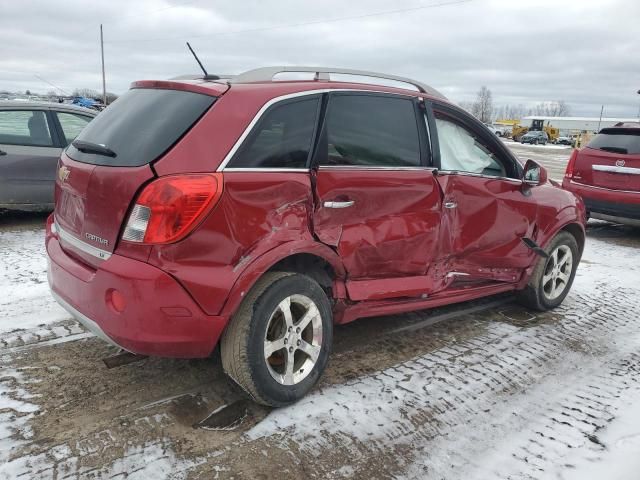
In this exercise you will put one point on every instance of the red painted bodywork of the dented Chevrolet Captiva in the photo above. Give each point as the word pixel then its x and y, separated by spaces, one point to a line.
pixel 396 249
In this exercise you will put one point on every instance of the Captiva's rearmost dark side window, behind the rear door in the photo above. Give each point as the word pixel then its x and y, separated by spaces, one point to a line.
pixel 282 138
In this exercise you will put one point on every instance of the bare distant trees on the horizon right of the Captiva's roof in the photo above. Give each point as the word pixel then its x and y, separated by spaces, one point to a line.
pixel 482 108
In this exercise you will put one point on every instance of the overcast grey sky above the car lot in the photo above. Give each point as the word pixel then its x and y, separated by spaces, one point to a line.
pixel 586 52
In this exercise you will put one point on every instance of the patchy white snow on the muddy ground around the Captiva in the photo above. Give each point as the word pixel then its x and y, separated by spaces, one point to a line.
pixel 553 397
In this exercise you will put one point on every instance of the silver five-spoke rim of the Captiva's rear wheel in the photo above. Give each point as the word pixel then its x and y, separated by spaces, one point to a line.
pixel 293 339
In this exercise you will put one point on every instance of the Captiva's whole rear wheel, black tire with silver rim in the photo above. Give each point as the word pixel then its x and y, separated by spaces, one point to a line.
pixel 278 343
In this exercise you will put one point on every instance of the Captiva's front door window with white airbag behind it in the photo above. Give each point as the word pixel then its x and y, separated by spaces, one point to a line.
pixel 462 151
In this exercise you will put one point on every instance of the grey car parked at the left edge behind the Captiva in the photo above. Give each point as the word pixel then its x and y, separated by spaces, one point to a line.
pixel 32 136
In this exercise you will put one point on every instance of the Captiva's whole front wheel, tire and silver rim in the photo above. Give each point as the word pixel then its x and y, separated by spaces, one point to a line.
pixel 553 276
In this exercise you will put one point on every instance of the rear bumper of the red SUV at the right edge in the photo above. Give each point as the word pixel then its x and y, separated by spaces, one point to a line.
pixel 605 202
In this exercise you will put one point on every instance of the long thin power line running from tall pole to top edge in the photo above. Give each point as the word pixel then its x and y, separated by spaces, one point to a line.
pixel 299 24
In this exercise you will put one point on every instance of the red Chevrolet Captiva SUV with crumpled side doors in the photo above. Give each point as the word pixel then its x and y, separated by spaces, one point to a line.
pixel 257 213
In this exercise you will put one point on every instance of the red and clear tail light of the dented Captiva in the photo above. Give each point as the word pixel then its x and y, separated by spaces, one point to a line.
pixel 169 208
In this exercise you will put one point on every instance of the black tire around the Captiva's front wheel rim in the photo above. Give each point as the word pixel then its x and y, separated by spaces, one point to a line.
pixel 533 295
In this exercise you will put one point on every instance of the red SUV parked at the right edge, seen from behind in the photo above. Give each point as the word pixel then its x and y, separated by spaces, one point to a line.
pixel 606 174
